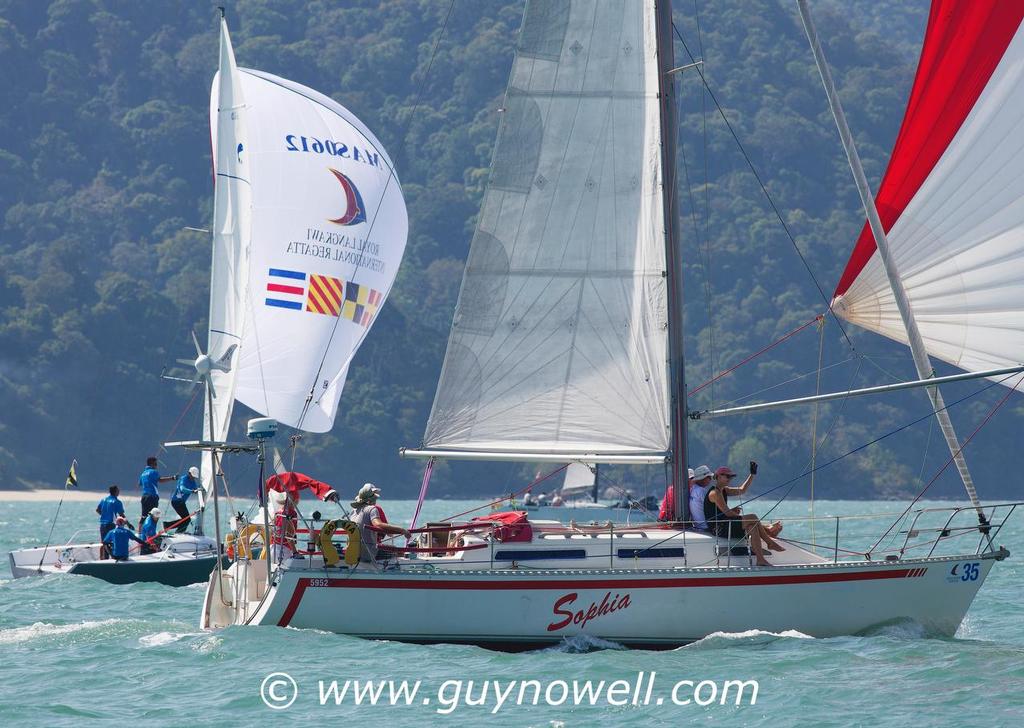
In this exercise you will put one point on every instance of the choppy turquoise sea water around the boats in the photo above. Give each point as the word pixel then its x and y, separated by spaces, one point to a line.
pixel 75 651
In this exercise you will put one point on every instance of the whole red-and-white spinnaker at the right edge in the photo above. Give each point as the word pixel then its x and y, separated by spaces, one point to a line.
pixel 953 197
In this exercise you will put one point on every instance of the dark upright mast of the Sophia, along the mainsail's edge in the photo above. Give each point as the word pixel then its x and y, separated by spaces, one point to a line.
pixel 673 258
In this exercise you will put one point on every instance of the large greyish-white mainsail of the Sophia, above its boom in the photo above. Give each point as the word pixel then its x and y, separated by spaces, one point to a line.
pixel 560 340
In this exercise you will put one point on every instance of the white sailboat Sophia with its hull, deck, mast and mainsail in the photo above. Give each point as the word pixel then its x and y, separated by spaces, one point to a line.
pixel 567 347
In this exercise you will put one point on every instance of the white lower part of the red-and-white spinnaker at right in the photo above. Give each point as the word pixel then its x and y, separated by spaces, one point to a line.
pixel 959 244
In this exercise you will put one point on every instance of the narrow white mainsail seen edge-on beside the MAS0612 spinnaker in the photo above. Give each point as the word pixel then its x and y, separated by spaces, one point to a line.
pixel 232 232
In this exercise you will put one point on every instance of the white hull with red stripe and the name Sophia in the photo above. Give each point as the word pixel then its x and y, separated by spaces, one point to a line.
pixel 664 608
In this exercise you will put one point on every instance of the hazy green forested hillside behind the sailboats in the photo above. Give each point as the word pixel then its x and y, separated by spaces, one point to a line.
pixel 105 162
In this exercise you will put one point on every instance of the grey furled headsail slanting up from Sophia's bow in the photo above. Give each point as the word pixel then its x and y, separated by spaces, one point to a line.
pixel 921 360
